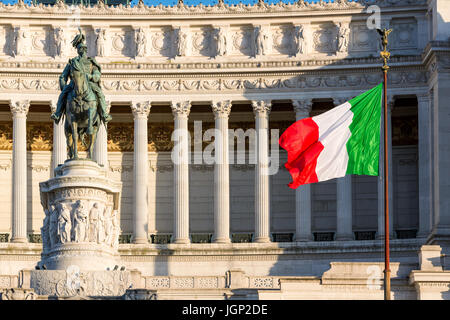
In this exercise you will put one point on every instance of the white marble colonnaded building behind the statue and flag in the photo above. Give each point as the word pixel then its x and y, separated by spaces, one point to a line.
pixel 237 67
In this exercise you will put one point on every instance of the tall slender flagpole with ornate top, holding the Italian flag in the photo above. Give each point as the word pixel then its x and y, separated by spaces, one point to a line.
pixel 385 55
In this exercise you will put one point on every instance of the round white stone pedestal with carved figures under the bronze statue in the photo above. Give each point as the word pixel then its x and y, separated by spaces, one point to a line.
pixel 81 228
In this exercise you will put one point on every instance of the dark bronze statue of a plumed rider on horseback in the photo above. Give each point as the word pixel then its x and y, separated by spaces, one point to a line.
pixel 81 100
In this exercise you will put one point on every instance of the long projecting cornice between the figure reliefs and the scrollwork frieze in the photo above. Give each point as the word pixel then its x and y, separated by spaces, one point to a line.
pixel 230 67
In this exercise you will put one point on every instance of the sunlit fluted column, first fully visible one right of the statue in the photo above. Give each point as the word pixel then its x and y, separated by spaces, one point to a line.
pixel 140 173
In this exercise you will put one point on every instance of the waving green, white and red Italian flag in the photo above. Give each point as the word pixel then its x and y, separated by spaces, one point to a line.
pixel 344 140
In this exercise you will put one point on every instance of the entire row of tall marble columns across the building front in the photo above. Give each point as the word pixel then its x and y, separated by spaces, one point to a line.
pixel 221 110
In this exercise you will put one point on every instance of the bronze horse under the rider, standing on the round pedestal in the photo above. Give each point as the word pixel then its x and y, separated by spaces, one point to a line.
pixel 81 114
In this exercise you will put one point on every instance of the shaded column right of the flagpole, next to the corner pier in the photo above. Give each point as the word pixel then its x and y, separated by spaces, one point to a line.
pixel 425 165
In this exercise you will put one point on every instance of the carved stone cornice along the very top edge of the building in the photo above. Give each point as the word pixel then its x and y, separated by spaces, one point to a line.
pixel 61 9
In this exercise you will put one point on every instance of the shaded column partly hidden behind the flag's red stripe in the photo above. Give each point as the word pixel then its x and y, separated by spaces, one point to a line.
pixel 303 232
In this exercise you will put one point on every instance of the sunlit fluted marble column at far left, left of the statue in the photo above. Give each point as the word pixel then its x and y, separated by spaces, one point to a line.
pixel 19 111
